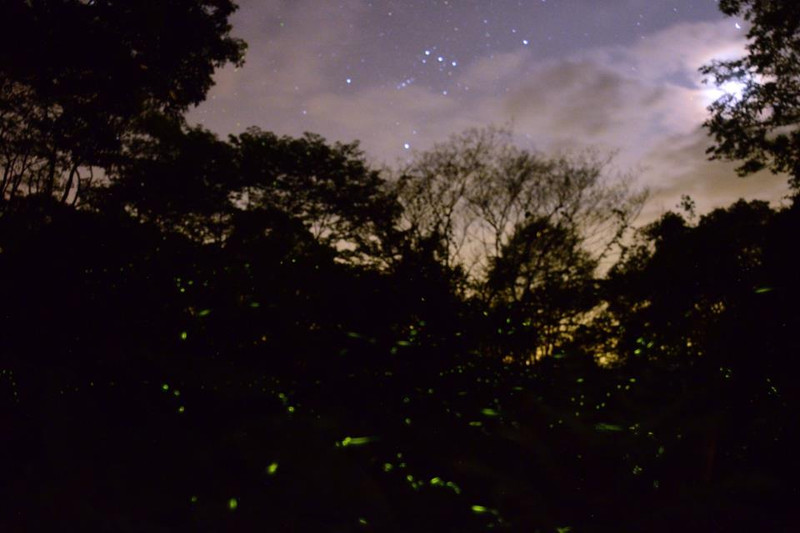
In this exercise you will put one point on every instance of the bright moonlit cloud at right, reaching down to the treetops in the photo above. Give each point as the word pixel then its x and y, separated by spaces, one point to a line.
pixel 646 102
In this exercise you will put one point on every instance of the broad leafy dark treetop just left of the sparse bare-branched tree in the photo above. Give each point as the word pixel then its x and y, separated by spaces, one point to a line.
pixel 257 183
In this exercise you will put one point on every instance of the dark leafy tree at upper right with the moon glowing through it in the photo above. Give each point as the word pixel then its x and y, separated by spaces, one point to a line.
pixel 759 127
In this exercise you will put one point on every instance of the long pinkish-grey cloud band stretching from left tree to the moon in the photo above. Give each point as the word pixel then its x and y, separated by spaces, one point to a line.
pixel 644 101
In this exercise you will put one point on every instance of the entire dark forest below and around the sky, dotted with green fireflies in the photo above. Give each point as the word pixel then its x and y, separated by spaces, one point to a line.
pixel 264 332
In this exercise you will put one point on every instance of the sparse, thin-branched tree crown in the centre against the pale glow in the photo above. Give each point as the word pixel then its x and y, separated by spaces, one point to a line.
pixel 474 191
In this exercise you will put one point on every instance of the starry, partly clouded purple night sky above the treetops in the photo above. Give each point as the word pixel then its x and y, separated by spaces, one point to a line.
pixel 616 75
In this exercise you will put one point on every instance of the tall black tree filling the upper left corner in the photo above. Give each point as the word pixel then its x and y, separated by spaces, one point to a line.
pixel 76 77
